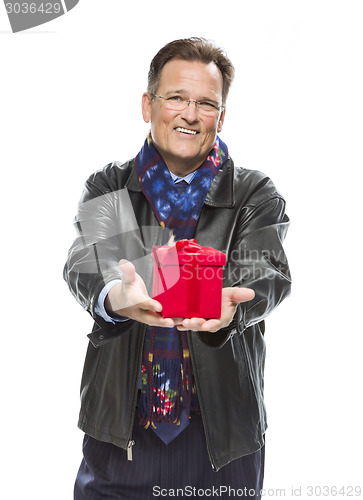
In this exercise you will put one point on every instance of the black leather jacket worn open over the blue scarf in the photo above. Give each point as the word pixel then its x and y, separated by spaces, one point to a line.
pixel 243 216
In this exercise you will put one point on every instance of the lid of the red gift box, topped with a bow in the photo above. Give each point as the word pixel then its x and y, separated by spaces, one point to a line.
pixel 188 252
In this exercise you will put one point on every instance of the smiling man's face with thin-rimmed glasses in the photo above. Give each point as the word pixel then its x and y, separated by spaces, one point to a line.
pixel 183 152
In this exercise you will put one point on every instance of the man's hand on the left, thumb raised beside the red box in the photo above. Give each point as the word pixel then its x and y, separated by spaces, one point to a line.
pixel 130 299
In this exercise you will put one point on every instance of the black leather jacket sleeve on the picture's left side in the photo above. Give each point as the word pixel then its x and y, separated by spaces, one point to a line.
pixel 106 231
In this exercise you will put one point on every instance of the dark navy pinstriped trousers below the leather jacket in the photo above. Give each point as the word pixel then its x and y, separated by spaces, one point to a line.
pixel 180 469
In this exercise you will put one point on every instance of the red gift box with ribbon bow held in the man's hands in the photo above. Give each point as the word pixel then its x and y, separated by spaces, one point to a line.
pixel 188 280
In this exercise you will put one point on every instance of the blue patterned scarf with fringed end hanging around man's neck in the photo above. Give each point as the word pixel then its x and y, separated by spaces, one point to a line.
pixel 167 386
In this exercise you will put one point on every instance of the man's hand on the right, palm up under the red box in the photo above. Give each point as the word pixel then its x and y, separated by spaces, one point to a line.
pixel 231 297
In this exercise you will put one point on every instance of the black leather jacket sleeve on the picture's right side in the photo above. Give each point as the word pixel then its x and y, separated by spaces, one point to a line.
pixel 256 259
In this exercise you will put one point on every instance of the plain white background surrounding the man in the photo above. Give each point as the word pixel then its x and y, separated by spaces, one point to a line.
pixel 70 103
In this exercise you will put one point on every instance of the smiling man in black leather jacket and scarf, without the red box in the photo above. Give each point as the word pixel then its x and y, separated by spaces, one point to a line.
pixel 186 392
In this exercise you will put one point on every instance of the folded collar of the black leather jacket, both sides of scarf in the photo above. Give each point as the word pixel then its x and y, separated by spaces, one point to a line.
pixel 220 193
